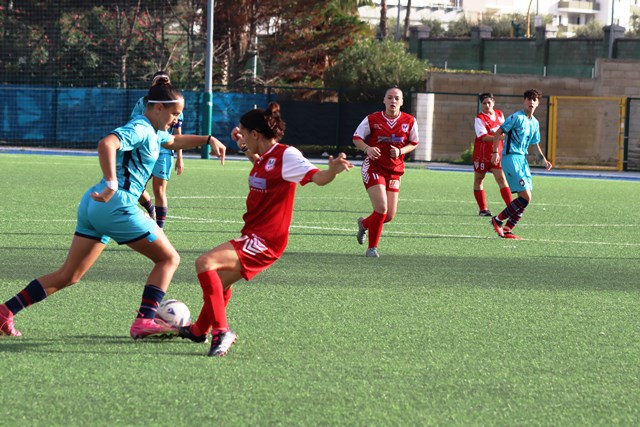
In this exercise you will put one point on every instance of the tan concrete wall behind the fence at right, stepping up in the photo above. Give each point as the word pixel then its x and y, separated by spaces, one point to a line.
pixel 456 105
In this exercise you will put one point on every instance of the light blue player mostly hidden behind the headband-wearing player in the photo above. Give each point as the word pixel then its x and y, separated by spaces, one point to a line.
pixel 162 170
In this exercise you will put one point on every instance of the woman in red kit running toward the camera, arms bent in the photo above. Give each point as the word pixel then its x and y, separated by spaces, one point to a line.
pixel 385 137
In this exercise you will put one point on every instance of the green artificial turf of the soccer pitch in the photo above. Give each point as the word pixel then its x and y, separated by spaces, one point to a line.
pixel 451 326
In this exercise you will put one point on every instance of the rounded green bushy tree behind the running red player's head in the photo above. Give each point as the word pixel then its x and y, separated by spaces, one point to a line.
pixel 368 67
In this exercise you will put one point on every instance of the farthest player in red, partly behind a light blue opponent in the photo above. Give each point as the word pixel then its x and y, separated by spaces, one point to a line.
pixel 485 124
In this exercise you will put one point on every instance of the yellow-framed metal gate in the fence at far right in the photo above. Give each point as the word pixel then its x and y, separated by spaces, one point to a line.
pixel 587 132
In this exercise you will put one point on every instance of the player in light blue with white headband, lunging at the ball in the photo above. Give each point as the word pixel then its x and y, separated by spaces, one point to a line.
pixel 109 210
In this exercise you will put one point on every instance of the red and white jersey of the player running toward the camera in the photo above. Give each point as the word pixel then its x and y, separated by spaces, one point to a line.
pixel 378 130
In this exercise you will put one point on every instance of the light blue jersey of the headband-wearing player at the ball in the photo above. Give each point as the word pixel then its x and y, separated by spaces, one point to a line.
pixel 139 150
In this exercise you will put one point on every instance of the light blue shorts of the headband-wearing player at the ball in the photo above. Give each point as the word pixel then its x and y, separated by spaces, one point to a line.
pixel 119 219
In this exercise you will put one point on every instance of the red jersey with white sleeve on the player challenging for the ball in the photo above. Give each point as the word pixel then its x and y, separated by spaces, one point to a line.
pixel 272 190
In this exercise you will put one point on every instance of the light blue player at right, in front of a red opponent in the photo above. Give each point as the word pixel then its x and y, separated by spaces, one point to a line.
pixel 520 130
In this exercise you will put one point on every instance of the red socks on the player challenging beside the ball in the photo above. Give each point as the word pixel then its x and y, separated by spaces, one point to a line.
pixel 213 296
